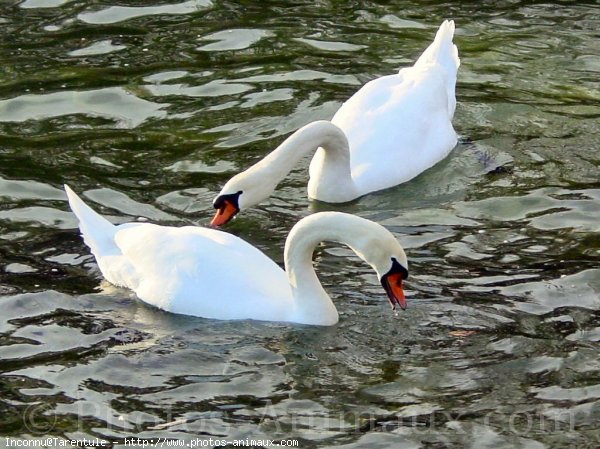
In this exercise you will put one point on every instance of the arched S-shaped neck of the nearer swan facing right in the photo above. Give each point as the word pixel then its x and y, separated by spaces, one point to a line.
pixel 312 304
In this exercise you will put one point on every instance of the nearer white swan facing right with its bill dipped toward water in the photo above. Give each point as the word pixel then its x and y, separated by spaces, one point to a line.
pixel 212 274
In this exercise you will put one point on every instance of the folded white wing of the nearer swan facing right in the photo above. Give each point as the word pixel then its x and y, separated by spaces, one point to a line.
pixel 203 272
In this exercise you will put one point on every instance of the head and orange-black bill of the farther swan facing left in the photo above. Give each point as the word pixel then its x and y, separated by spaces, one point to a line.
pixel 243 191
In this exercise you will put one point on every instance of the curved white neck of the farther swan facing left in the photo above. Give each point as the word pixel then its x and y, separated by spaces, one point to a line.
pixel 322 135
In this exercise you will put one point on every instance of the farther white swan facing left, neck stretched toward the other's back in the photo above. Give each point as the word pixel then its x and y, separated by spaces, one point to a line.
pixel 391 130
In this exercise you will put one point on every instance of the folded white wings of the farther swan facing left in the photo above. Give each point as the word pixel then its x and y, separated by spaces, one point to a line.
pixel 398 126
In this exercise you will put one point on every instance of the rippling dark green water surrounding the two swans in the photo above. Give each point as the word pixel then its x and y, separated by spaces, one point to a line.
pixel 147 109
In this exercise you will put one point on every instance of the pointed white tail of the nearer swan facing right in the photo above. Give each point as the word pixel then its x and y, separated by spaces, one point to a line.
pixel 98 233
